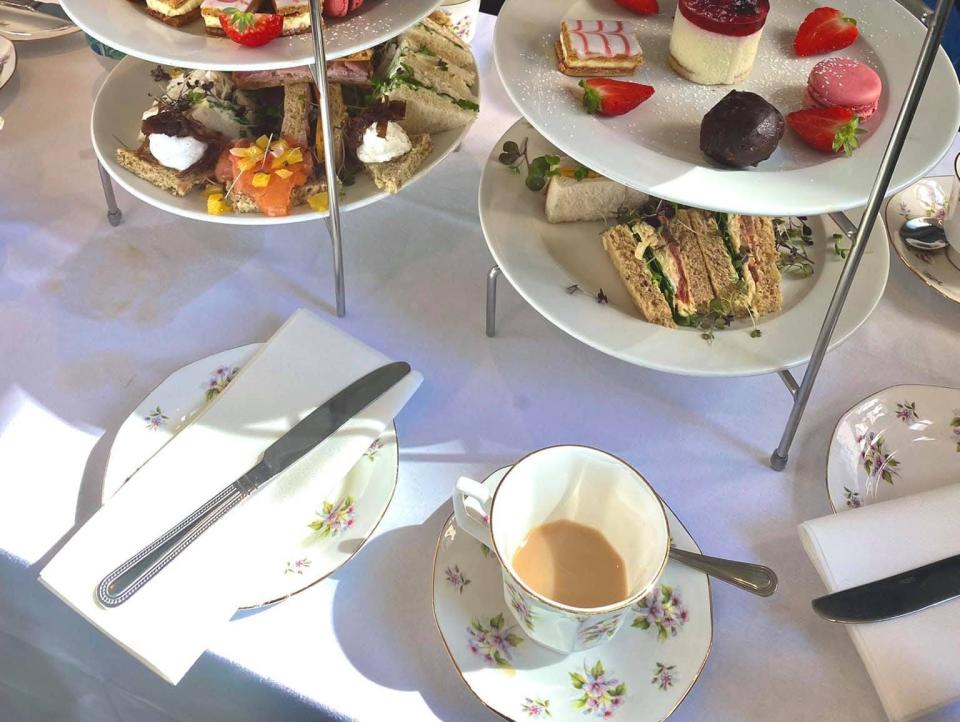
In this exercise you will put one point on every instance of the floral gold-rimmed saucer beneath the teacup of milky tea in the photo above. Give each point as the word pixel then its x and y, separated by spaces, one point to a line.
pixel 641 675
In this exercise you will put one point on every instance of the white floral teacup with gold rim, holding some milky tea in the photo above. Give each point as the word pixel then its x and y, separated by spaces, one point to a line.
pixel 579 484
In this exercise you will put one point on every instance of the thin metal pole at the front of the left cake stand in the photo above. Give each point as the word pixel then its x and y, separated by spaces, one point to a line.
pixel 319 70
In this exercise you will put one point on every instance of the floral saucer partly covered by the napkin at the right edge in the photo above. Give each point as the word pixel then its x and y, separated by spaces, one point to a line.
pixel 897 442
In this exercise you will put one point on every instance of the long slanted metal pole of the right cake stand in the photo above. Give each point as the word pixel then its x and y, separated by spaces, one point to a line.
pixel 778 460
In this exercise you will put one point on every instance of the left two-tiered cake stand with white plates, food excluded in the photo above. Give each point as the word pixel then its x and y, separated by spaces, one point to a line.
pixel 126 27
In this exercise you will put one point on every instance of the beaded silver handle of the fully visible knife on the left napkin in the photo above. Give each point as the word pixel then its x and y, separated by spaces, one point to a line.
pixel 124 581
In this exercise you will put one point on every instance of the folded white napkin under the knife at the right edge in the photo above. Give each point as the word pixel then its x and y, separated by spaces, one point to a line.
pixel 913 661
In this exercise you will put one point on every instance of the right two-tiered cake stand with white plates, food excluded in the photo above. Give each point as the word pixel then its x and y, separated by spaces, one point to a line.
pixel 655 149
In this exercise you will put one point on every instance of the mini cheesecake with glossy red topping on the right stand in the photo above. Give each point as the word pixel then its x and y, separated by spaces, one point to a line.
pixel 714 42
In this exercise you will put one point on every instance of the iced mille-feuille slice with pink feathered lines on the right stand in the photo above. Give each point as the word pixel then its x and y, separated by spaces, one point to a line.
pixel 590 48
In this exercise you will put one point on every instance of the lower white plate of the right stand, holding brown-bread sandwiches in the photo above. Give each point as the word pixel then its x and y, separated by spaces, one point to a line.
pixel 541 260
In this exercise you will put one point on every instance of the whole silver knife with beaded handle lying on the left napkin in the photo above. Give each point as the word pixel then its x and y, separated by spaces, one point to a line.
pixel 124 581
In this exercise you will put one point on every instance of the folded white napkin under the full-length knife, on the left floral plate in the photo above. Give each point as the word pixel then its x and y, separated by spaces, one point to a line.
pixel 171 621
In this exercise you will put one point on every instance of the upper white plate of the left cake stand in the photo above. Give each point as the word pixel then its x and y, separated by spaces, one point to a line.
pixel 125 25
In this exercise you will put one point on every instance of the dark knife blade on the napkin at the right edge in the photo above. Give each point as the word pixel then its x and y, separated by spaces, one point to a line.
pixel 894 596
